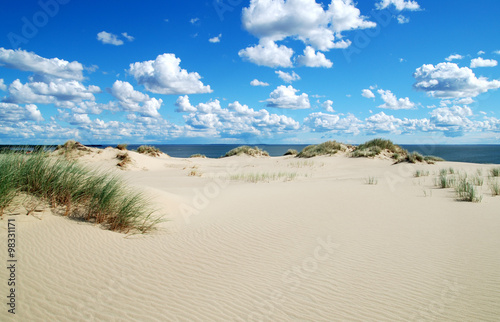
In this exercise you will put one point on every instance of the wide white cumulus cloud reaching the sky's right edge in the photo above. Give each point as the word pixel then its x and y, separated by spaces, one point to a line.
pixel 448 80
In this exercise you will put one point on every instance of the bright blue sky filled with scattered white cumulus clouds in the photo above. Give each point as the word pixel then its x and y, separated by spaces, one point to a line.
pixel 261 71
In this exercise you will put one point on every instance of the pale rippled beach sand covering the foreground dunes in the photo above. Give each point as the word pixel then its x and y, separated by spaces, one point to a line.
pixel 323 246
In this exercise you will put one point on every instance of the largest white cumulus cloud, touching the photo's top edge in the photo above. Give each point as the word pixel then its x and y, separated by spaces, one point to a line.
pixel 306 20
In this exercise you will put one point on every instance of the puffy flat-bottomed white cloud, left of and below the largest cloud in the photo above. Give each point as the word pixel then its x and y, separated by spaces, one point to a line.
pixel 165 76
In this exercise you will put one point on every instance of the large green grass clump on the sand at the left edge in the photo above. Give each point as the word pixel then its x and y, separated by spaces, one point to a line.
pixel 78 191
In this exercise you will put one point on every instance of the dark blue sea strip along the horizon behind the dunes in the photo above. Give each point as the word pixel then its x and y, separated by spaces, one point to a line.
pixel 485 154
